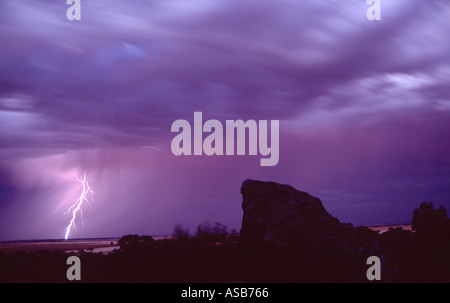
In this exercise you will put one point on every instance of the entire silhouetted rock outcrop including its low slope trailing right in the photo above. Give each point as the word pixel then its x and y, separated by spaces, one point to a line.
pixel 281 216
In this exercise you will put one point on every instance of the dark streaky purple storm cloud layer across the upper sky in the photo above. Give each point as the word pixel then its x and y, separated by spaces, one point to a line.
pixel 124 72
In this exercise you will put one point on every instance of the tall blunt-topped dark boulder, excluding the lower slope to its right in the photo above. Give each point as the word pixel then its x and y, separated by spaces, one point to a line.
pixel 276 213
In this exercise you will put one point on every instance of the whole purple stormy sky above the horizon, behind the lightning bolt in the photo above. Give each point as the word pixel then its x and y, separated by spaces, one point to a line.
pixel 364 109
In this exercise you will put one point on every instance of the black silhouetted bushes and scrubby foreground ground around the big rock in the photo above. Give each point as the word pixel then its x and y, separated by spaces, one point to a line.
pixel 215 254
